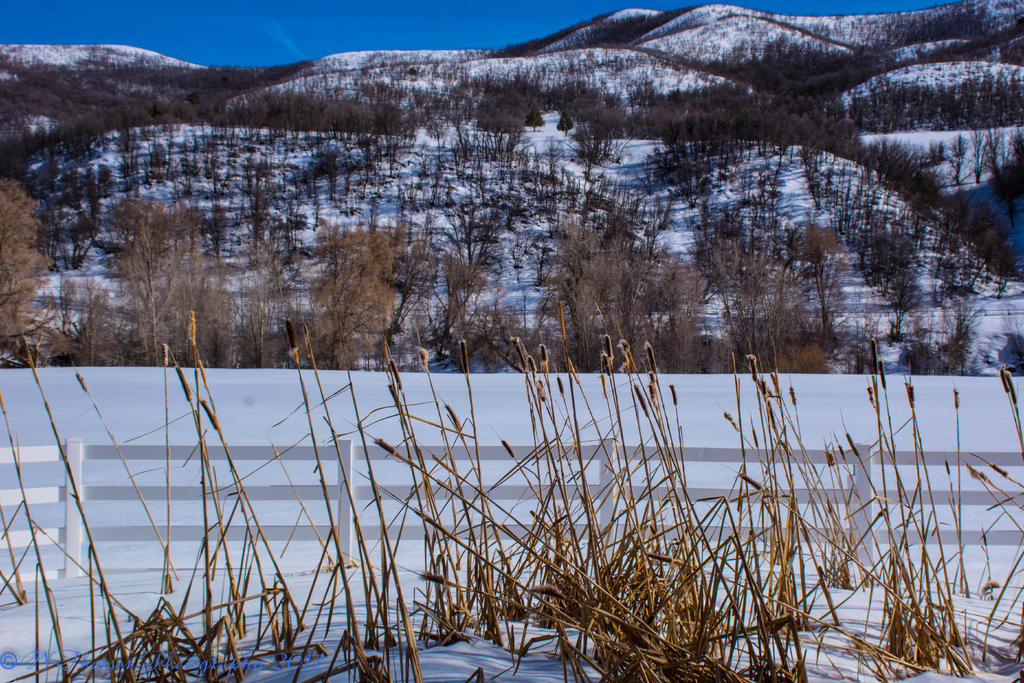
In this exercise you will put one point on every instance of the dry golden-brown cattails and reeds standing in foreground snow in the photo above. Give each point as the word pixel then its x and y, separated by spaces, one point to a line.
pixel 626 577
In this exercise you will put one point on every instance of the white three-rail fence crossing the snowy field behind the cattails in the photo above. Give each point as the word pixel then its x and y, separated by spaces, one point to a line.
pixel 863 486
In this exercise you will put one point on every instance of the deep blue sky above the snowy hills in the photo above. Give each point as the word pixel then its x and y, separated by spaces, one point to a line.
pixel 270 32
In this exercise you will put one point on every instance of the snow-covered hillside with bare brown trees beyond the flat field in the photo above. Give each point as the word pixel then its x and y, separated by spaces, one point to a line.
pixel 795 194
